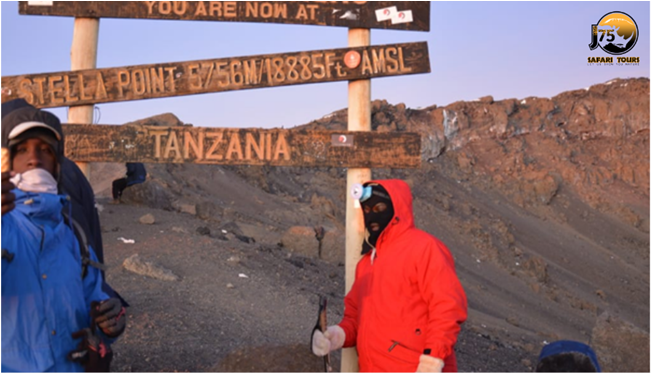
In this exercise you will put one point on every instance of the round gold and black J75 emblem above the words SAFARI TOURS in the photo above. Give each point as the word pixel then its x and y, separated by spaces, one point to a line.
pixel 616 33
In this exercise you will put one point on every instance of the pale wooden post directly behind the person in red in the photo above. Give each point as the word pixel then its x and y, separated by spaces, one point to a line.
pixel 359 120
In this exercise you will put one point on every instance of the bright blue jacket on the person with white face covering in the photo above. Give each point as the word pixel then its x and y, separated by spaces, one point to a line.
pixel 44 298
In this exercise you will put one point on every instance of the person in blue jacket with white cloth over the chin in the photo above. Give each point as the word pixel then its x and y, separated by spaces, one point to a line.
pixel 54 318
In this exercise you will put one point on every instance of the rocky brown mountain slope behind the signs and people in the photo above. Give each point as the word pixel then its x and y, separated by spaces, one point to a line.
pixel 543 202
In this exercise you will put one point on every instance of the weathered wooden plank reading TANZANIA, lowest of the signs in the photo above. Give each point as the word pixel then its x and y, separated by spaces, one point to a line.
pixel 274 147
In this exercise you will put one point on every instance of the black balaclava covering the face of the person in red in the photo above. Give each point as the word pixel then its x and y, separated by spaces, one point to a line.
pixel 382 219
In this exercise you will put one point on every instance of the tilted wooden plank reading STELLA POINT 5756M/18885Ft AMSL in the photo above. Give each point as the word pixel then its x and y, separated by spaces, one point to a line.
pixel 82 87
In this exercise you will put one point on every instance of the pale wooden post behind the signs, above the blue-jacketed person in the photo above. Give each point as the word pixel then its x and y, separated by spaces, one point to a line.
pixel 83 55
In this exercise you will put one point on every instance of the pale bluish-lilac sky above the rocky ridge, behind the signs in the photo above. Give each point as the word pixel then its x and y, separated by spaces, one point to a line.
pixel 504 49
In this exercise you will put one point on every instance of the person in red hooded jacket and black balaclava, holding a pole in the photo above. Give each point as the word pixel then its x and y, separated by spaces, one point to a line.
pixel 406 306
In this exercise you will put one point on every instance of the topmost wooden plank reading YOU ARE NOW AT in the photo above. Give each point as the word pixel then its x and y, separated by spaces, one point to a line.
pixel 400 15
